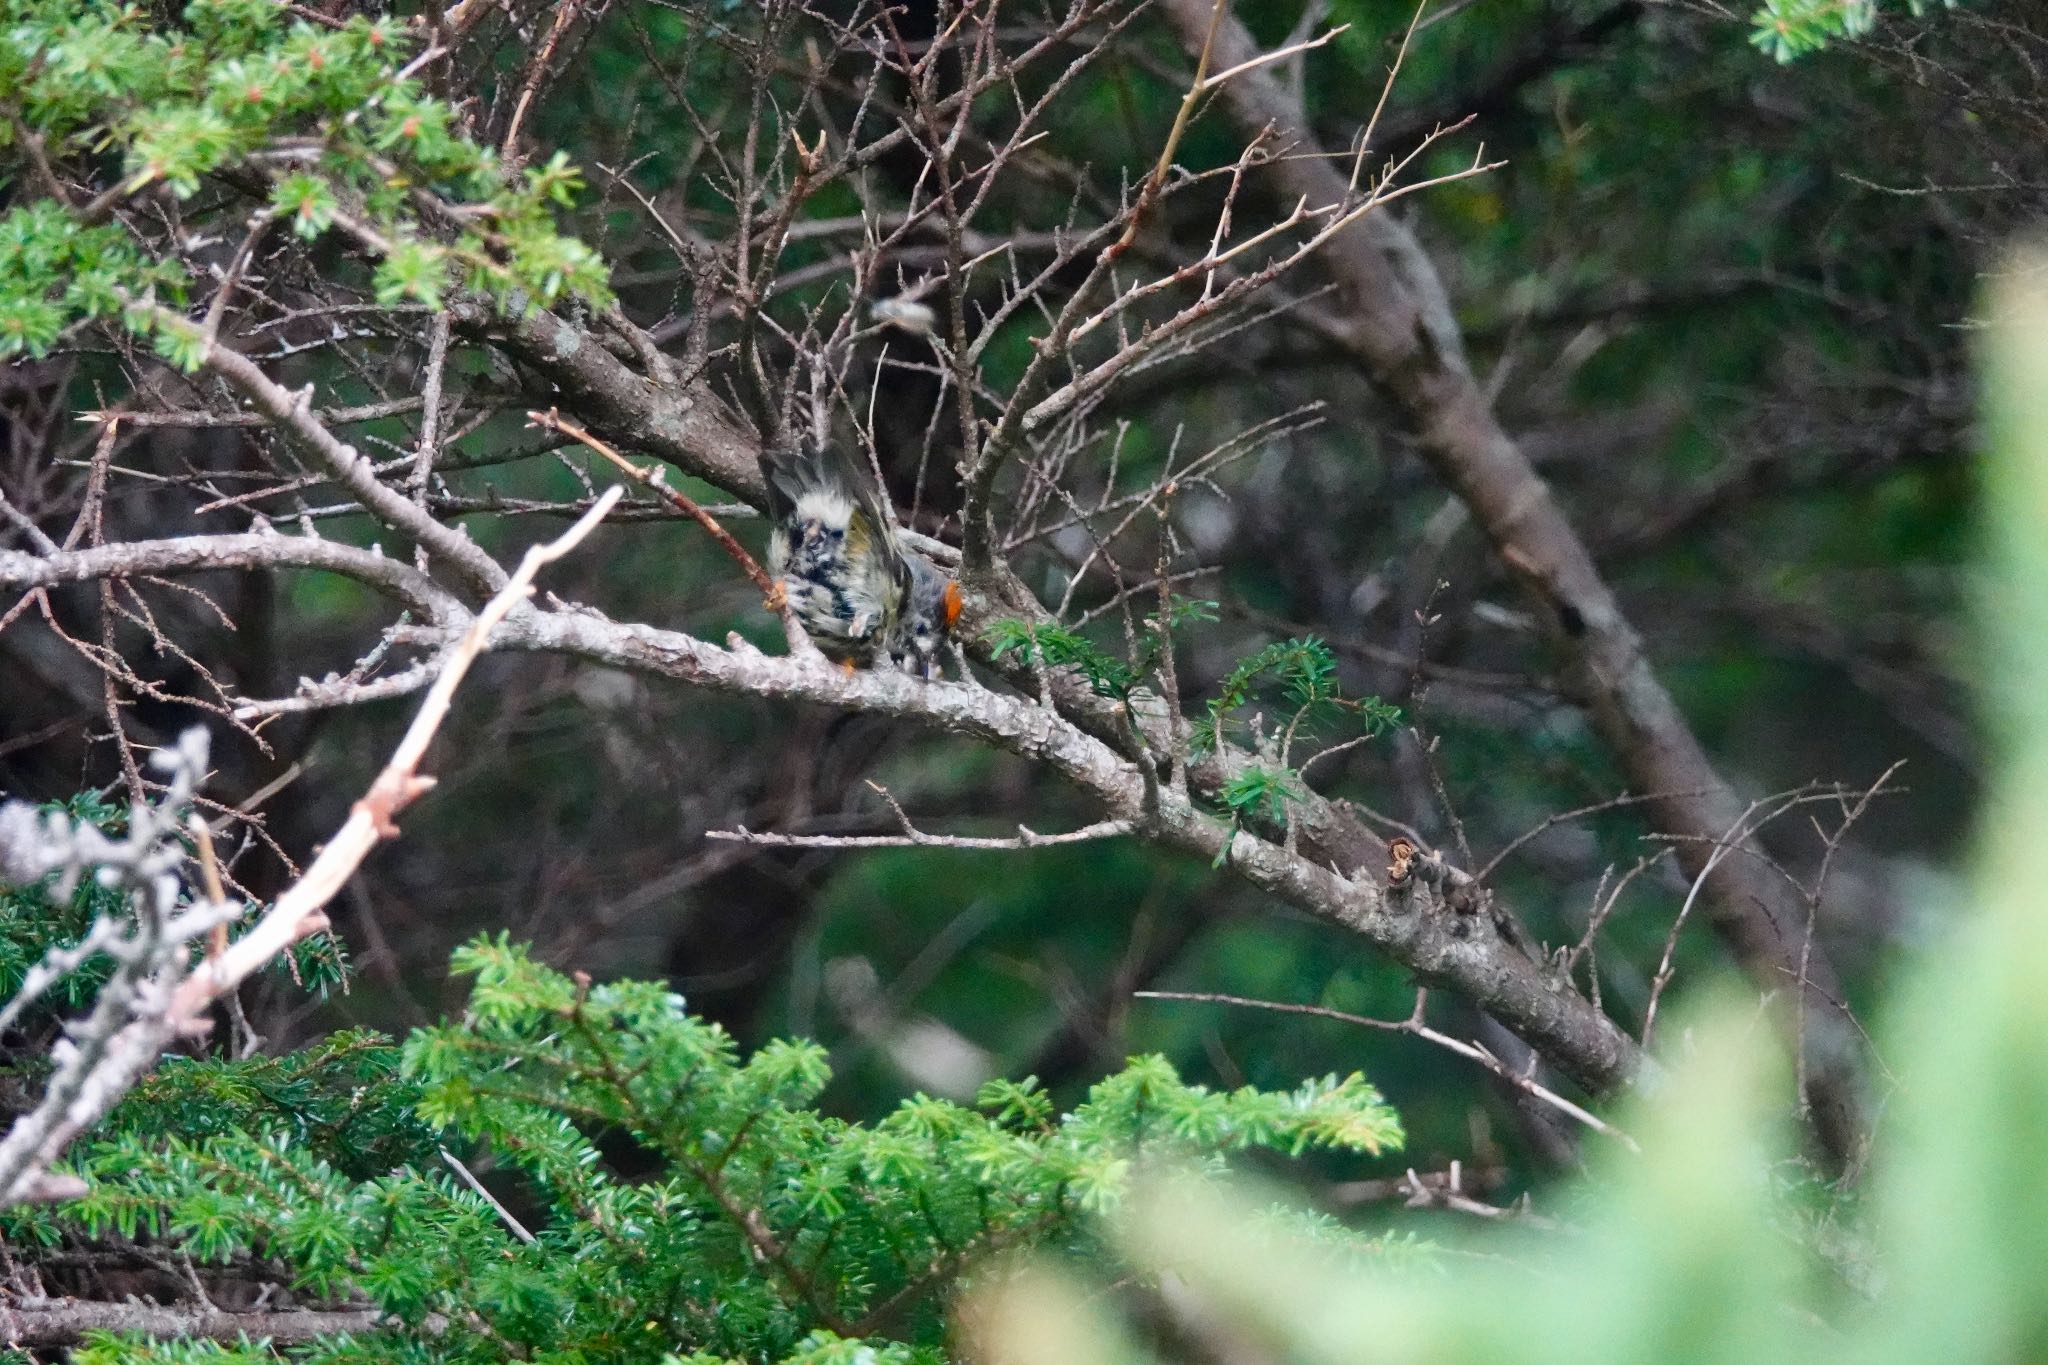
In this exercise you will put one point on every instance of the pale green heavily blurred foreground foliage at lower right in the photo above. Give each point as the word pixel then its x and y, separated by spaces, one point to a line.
pixel 1693 1253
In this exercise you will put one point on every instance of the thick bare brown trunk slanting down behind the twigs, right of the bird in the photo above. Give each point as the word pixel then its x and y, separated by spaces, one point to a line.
pixel 1398 328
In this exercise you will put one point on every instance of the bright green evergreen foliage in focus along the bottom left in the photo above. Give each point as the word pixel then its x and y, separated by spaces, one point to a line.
pixel 685 1198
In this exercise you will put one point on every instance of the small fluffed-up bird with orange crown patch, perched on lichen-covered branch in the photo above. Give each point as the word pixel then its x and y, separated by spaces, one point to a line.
pixel 861 595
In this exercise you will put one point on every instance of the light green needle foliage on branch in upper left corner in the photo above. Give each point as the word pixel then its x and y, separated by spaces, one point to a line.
pixel 333 116
